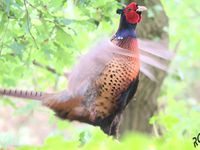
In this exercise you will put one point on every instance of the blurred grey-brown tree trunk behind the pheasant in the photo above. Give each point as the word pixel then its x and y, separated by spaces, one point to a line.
pixel 144 104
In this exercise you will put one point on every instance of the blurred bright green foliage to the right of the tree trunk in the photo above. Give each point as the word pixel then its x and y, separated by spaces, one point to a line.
pixel 183 84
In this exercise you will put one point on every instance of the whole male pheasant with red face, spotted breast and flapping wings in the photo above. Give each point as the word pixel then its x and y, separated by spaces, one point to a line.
pixel 103 81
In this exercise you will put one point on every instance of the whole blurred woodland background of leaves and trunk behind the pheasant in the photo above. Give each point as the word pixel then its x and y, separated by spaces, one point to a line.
pixel 40 41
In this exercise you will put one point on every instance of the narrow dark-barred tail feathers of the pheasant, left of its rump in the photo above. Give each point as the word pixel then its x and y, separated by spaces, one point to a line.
pixel 23 94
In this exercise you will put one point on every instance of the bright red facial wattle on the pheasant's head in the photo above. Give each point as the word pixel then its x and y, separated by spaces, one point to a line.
pixel 131 15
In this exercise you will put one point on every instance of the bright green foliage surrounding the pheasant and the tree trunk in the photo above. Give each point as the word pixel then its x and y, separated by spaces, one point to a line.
pixel 54 33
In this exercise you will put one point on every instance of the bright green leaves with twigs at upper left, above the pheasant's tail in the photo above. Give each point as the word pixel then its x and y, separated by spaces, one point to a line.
pixel 49 32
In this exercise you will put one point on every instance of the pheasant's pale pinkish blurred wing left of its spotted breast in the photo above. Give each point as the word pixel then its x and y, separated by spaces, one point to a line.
pixel 91 65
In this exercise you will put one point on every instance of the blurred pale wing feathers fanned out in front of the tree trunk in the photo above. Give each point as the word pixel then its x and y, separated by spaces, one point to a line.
pixel 153 55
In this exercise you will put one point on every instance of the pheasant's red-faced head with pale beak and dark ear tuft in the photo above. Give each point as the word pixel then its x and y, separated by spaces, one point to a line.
pixel 132 12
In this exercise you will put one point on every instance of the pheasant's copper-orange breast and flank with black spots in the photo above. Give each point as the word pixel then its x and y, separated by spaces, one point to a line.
pixel 115 79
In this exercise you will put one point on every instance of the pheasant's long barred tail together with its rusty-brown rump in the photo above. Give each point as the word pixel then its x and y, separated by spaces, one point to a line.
pixel 62 103
